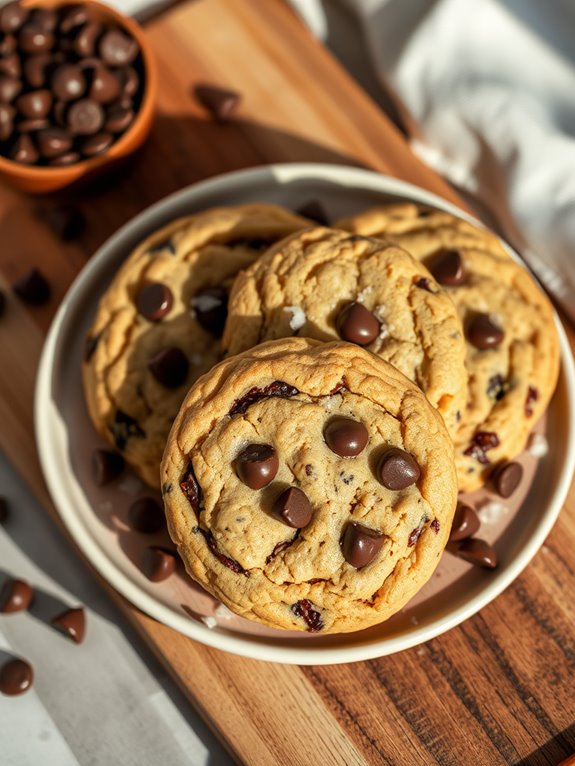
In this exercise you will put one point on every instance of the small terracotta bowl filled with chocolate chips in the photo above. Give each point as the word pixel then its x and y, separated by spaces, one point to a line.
pixel 77 91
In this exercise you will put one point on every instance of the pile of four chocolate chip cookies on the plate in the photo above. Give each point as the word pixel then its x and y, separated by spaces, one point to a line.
pixel 320 396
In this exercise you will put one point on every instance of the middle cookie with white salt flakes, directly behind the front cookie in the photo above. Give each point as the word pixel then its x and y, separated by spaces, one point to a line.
pixel 326 284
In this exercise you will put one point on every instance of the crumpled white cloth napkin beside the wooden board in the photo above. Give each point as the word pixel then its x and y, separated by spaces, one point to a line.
pixel 491 86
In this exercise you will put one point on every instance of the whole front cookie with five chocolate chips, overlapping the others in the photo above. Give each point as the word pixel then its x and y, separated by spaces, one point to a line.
pixel 309 486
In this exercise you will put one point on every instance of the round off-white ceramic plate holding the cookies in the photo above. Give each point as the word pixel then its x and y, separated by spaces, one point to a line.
pixel 95 517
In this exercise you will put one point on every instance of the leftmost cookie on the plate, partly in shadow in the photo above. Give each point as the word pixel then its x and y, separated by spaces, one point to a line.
pixel 159 323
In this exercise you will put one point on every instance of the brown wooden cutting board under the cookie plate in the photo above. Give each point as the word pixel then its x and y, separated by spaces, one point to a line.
pixel 497 690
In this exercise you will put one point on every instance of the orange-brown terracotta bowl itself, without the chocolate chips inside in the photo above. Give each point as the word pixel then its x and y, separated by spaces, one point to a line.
pixel 38 179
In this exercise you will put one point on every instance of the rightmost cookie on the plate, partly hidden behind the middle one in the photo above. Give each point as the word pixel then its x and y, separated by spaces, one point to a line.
pixel 512 356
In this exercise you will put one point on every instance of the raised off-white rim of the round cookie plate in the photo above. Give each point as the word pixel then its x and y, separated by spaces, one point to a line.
pixel 220 638
